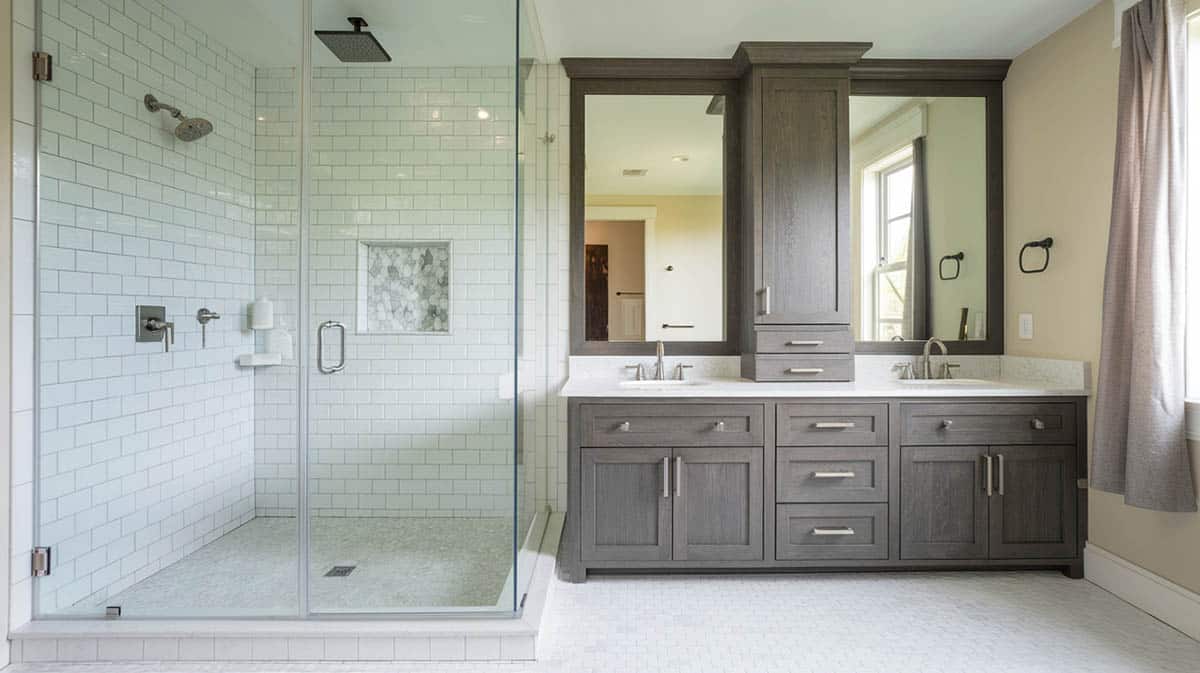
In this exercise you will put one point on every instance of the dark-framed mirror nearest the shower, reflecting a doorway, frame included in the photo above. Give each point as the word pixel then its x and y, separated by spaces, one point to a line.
pixel 653 237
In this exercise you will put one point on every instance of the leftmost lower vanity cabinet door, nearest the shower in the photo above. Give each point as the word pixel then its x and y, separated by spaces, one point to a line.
pixel 626 507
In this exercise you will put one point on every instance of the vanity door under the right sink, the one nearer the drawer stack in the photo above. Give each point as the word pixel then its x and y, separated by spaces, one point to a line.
pixel 944 503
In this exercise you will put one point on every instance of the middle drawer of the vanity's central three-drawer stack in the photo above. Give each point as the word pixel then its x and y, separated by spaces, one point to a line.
pixel 857 474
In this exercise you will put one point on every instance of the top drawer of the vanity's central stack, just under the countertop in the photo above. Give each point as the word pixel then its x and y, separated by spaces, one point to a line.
pixel 832 425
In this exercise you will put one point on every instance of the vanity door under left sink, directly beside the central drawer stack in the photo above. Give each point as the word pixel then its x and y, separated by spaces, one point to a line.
pixel 718 503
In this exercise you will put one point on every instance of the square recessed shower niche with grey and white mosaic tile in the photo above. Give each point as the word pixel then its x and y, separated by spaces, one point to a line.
pixel 404 287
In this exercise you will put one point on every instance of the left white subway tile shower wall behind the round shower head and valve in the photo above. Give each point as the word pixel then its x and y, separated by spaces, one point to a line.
pixel 146 456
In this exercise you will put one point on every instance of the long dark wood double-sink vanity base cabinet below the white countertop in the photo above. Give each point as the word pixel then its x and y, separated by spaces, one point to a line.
pixel 812 484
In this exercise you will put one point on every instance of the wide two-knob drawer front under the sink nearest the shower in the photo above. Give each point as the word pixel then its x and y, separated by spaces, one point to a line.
pixel 673 425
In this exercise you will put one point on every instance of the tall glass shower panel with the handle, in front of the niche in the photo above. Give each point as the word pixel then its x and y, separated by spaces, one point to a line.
pixel 411 256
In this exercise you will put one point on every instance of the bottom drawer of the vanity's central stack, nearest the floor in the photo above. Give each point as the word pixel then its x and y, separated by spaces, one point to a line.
pixel 832 532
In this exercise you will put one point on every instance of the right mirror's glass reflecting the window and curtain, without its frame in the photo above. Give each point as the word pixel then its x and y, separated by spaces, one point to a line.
pixel 919 218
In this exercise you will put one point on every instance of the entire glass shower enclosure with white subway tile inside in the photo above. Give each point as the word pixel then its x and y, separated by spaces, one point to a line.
pixel 279 308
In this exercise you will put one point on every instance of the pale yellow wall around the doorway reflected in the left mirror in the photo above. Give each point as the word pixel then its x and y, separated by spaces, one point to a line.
pixel 688 236
